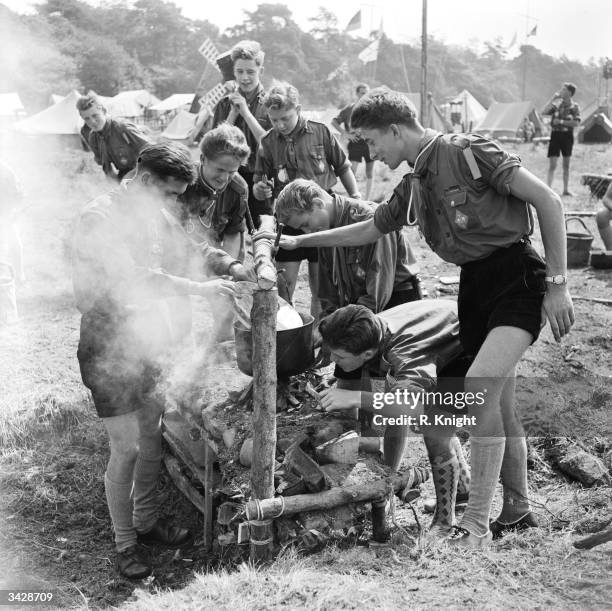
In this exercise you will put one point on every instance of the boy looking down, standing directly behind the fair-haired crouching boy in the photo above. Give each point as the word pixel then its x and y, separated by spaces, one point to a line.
pixel 298 148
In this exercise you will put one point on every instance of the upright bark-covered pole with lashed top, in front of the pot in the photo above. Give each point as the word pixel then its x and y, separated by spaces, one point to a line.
pixel 263 317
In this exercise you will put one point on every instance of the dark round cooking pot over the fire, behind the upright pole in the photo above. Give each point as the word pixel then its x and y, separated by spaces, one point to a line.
pixel 294 349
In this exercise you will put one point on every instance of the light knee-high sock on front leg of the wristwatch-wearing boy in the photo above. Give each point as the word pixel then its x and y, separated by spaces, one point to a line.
pixel 487 454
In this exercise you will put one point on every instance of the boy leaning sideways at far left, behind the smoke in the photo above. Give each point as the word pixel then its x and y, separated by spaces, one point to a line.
pixel 115 143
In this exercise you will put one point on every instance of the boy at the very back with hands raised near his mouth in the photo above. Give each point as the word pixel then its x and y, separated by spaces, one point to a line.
pixel 244 108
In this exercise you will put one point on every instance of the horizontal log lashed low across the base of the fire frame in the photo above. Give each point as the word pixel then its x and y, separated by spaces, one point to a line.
pixel 327 499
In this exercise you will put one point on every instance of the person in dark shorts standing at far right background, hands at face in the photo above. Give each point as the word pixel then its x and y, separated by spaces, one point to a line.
pixel 565 116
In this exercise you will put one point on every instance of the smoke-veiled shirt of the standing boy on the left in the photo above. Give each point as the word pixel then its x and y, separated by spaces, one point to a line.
pixel 121 262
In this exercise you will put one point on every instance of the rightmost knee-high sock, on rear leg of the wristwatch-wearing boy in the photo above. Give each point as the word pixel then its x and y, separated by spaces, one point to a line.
pixel 514 480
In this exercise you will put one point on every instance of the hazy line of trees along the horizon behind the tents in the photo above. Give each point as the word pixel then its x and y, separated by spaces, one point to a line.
pixel 150 44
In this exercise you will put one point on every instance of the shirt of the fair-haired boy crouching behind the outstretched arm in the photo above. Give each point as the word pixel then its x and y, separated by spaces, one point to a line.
pixel 366 275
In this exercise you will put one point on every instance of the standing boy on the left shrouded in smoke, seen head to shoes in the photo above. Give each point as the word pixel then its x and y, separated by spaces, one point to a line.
pixel 133 312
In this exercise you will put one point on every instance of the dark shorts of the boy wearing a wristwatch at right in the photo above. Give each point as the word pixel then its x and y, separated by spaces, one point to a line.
pixel 504 289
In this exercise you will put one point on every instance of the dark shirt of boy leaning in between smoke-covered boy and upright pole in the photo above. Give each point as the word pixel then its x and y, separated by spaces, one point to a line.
pixel 210 214
